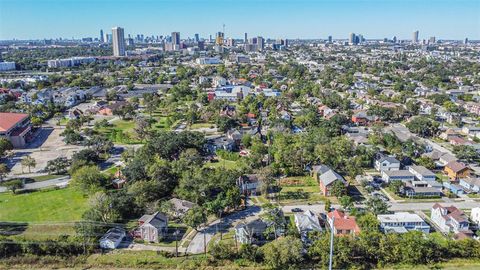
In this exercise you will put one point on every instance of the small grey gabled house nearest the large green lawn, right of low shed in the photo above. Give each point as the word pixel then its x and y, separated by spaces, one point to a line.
pixel 152 228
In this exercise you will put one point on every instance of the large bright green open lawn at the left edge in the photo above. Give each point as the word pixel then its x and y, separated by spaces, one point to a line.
pixel 43 206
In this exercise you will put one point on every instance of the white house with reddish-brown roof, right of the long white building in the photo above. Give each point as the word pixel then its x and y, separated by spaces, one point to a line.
pixel 449 219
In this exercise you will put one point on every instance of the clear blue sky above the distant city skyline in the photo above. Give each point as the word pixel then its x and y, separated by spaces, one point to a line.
pixel 39 19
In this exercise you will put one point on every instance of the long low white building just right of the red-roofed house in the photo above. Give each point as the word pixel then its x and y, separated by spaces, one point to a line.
pixel 401 222
